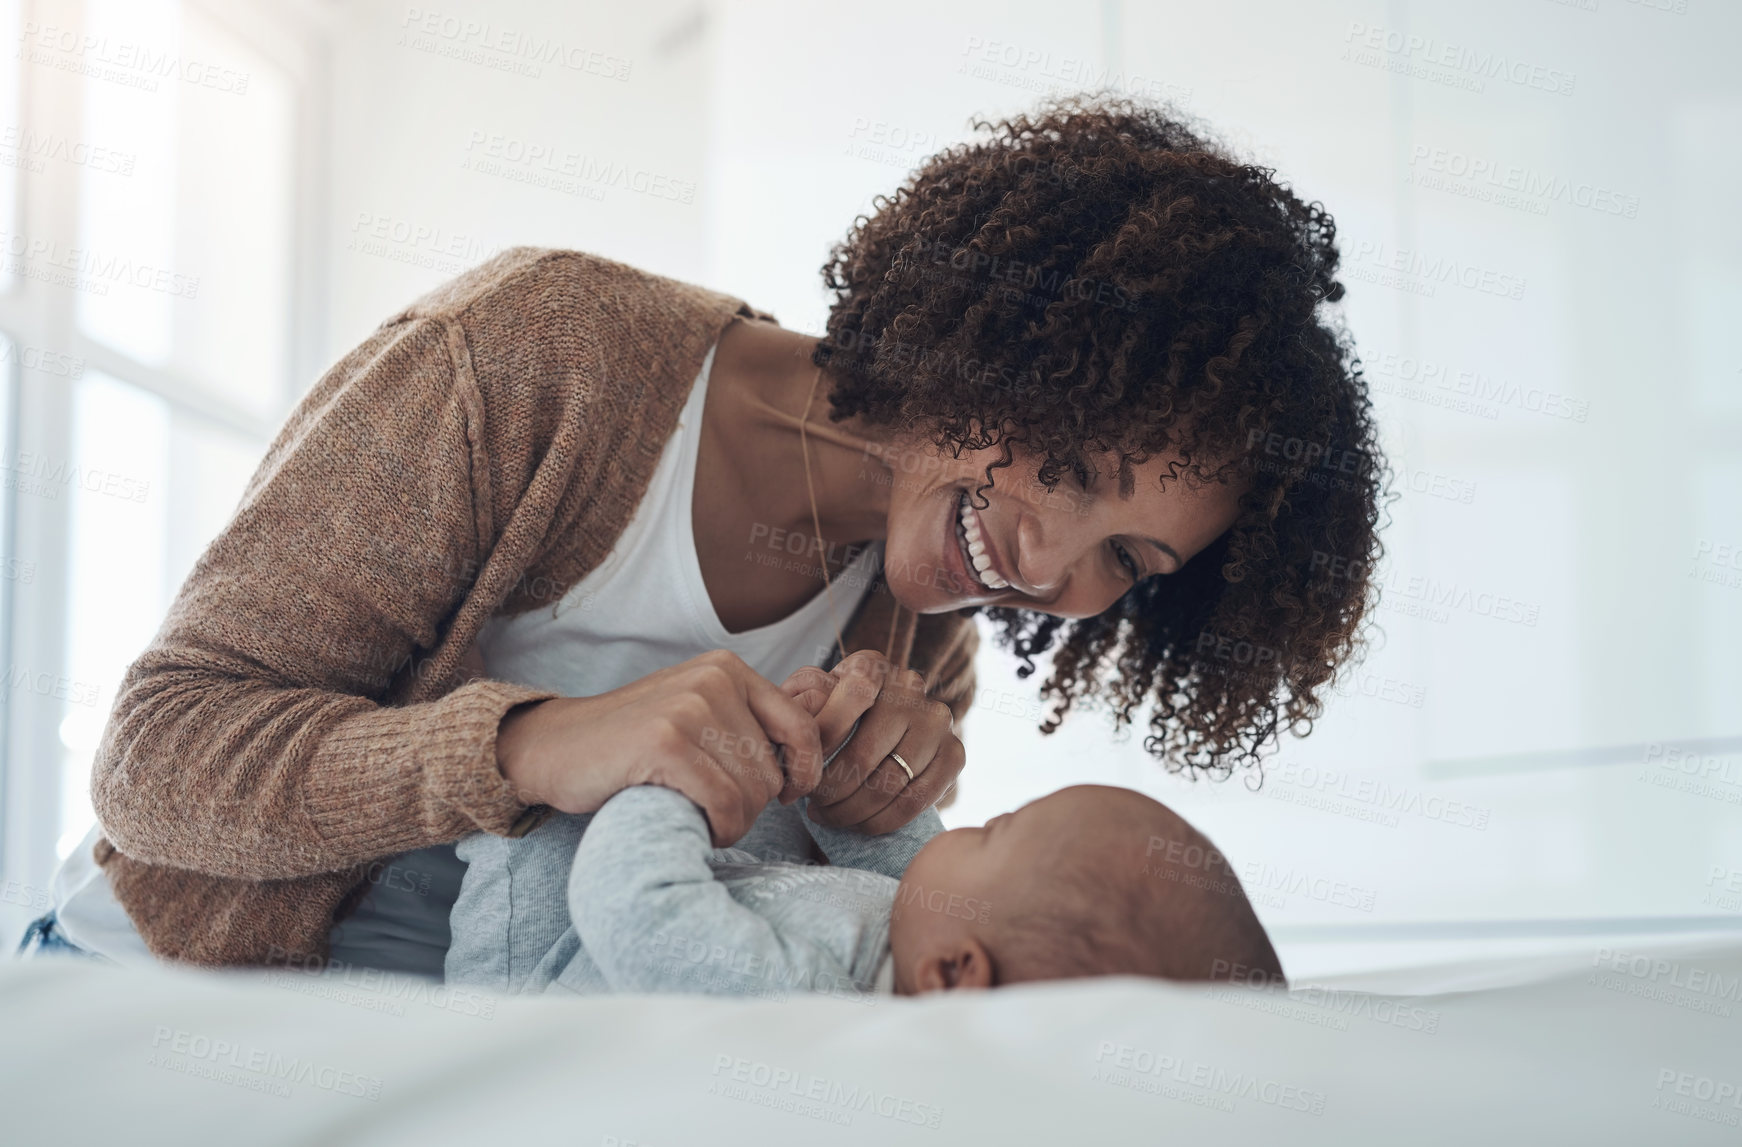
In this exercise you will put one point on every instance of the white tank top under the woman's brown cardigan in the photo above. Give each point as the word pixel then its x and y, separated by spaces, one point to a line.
pixel 644 609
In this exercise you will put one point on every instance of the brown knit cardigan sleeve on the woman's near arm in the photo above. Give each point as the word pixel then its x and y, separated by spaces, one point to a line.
pixel 253 738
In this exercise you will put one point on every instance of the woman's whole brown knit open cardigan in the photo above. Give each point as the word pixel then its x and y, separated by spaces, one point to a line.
pixel 299 714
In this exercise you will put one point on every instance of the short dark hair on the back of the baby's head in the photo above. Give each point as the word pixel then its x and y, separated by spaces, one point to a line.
pixel 1152 899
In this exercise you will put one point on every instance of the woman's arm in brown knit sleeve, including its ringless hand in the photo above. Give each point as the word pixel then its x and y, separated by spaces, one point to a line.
pixel 290 717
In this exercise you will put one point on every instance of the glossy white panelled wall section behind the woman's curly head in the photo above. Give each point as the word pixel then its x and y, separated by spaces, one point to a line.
pixel 1588 522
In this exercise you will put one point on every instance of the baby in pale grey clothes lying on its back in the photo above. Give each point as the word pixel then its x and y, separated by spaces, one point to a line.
pixel 635 899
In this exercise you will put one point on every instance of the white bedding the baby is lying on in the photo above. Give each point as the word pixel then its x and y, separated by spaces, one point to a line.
pixel 1645 1054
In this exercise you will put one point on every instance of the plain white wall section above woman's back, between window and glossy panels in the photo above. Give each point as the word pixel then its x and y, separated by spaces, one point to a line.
pixel 463 130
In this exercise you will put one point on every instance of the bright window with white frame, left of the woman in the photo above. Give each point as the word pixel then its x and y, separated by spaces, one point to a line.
pixel 149 173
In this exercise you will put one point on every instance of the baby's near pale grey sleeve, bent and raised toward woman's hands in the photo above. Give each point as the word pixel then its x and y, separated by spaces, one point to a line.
pixel 642 892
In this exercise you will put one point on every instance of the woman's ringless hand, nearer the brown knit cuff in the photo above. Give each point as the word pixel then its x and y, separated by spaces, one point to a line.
pixel 706 728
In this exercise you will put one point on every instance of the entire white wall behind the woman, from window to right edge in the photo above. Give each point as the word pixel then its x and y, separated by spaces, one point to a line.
pixel 1610 529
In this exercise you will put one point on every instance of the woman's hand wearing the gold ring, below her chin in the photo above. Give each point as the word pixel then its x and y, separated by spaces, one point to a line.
pixel 865 789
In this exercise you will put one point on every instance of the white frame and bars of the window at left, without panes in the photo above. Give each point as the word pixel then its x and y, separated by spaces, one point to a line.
pixel 297 41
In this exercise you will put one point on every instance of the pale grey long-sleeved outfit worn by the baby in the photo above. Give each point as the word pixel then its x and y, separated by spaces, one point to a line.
pixel 635 899
